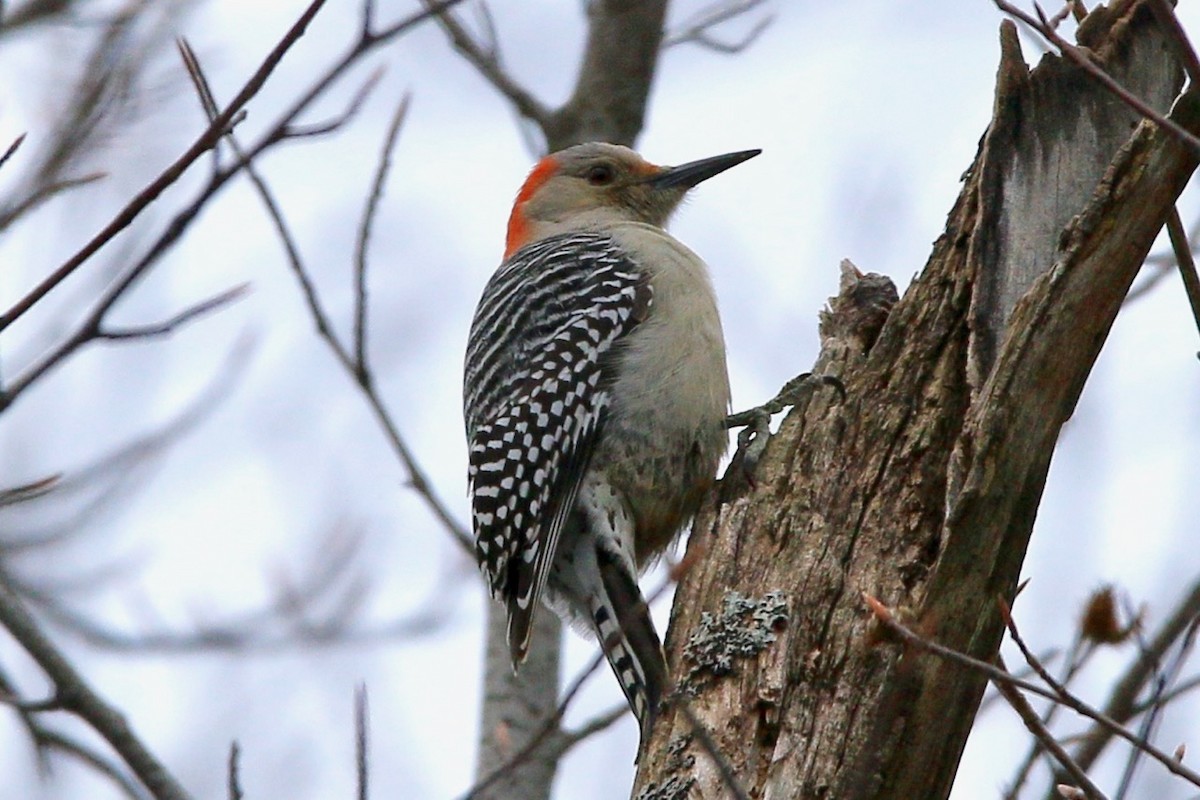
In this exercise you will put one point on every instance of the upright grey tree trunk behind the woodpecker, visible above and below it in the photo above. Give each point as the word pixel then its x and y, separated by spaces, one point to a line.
pixel 608 105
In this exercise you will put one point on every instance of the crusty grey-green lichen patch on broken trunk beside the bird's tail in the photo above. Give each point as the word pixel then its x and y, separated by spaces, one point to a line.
pixel 745 629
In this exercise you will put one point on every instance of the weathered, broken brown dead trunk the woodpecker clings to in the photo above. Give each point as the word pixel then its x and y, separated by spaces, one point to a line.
pixel 922 486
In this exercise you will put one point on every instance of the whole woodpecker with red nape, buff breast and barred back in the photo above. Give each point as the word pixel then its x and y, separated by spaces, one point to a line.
pixel 595 396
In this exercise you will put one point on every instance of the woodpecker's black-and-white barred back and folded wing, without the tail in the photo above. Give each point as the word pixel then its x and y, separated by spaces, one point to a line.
pixel 535 400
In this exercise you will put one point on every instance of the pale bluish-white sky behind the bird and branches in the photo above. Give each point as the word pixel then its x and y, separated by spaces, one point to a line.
pixel 868 112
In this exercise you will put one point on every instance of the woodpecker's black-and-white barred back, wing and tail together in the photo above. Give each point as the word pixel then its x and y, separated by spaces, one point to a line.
pixel 536 399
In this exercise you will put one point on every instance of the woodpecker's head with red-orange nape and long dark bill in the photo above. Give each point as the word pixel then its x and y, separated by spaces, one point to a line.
pixel 596 184
